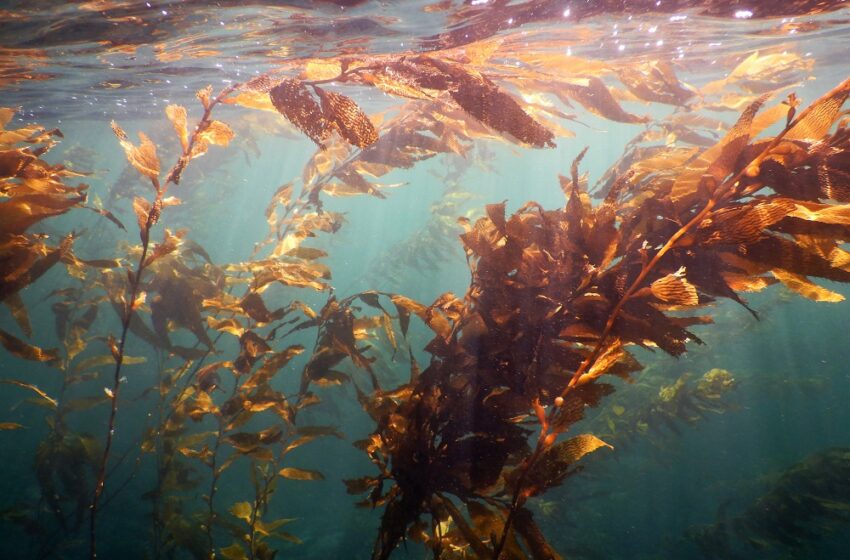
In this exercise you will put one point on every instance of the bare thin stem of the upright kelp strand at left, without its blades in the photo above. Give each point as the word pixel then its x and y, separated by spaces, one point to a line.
pixel 130 305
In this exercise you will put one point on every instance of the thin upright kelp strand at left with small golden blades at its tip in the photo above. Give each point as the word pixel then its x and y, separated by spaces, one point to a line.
pixel 145 160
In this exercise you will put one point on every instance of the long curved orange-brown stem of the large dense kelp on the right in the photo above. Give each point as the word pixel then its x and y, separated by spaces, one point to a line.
pixel 721 194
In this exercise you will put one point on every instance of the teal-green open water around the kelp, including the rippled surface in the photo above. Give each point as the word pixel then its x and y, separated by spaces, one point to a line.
pixel 647 499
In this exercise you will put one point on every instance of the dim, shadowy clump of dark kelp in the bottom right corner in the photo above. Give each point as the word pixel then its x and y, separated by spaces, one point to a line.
pixel 807 502
